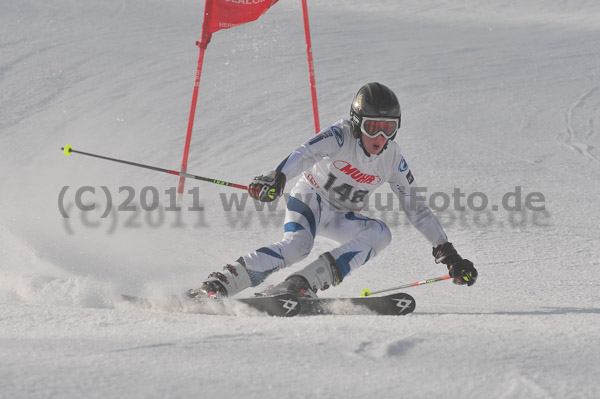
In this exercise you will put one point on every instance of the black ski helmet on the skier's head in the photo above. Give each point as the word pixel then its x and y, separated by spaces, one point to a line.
pixel 374 100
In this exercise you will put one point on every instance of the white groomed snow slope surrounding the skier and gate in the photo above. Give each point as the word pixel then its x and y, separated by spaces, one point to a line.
pixel 495 95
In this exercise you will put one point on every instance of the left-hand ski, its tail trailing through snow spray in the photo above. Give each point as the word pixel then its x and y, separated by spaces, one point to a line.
pixel 284 305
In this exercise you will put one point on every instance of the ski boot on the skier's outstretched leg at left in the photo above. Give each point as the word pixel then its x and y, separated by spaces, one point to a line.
pixel 234 279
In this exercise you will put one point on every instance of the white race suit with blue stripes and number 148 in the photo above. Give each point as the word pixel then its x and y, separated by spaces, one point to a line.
pixel 337 179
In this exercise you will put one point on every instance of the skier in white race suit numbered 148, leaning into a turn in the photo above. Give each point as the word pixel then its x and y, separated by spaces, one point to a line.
pixel 340 167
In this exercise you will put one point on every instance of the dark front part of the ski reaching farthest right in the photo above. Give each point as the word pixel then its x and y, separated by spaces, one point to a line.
pixel 392 305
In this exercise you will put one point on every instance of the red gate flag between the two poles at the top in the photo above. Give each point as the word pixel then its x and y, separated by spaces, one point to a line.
pixel 224 14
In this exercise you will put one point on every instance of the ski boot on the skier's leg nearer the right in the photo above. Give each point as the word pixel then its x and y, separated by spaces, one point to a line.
pixel 318 275
